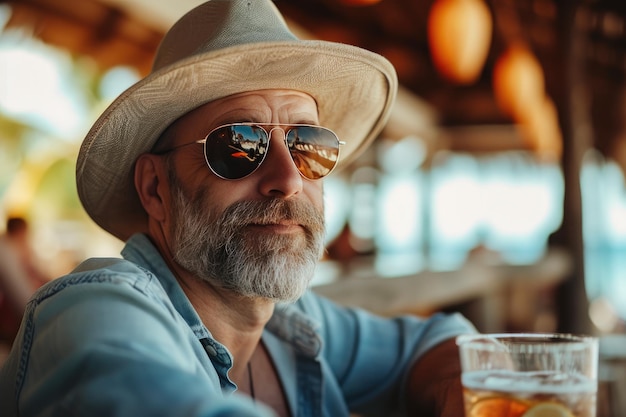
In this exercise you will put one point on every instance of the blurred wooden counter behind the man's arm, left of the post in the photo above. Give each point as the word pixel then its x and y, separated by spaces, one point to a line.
pixel 479 283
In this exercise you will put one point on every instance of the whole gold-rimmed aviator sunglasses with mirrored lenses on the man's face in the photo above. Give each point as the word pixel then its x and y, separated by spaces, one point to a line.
pixel 235 150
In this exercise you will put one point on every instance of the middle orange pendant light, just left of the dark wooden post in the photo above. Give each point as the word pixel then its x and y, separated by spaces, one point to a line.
pixel 518 81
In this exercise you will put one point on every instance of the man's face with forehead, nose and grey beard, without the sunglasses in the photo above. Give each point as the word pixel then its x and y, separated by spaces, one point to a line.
pixel 258 236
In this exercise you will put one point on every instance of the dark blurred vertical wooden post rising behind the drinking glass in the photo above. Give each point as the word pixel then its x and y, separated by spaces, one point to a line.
pixel 573 104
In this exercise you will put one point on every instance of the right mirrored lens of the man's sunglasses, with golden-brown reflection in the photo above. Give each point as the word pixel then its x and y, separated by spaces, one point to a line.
pixel 314 149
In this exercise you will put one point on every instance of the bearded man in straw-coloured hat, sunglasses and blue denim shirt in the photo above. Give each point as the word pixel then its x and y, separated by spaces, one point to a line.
pixel 210 169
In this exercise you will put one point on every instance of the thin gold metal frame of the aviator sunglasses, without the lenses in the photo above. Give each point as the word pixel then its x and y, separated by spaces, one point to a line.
pixel 286 128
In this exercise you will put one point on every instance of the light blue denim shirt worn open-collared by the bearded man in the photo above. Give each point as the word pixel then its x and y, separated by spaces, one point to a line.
pixel 119 337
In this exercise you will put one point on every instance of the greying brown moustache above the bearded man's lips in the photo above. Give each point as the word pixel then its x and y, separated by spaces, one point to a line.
pixel 264 212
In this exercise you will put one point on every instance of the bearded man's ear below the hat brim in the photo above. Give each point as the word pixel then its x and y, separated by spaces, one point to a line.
pixel 151 184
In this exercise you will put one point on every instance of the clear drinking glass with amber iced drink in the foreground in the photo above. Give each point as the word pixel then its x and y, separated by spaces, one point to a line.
pixel 529 375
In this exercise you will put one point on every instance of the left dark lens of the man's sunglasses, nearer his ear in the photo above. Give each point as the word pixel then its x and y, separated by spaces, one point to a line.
pixel 235 151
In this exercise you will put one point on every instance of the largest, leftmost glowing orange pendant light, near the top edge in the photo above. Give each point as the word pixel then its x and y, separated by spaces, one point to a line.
pixel 459 37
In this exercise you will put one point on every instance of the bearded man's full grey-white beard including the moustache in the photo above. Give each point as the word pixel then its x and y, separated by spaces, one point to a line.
pixel 223 251
